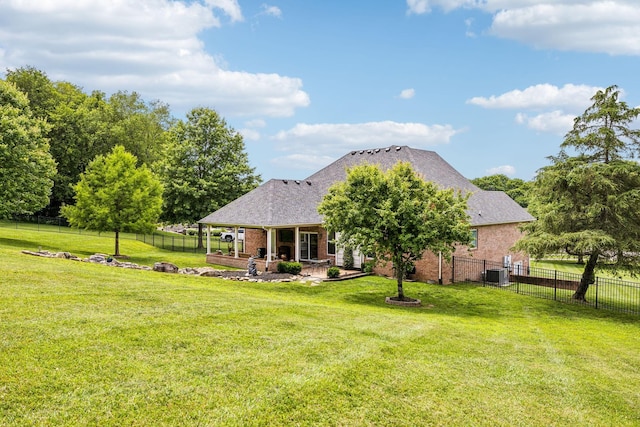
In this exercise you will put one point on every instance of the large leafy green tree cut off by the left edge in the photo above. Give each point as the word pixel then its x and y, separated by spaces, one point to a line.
pixel 27 166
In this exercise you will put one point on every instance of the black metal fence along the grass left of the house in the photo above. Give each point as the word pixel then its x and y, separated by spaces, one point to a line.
pixel 164 240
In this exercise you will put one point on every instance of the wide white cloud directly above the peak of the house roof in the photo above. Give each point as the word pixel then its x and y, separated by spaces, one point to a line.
pixel 321 143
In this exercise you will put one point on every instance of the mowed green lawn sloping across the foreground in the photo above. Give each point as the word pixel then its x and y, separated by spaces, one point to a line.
pixel 84 344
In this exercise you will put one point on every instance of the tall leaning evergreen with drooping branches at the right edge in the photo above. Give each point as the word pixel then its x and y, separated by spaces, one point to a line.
pixel 588 202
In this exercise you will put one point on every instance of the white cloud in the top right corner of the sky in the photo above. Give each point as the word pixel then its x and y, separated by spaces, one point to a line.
pixel 604 26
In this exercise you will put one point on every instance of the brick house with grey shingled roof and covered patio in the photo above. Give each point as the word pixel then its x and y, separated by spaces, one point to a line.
pixel 281 220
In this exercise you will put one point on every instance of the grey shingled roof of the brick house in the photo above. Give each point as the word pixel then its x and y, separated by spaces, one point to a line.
pixel 288 203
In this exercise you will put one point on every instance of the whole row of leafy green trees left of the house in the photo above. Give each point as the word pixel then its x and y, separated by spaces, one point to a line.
pixel 52 134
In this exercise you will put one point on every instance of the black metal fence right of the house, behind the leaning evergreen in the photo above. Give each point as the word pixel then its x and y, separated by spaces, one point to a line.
pixel 605 293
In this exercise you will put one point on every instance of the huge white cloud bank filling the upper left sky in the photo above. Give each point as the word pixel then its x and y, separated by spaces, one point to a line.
pixel 148 46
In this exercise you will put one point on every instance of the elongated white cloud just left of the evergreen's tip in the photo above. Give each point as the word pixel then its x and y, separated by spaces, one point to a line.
pixel 540 96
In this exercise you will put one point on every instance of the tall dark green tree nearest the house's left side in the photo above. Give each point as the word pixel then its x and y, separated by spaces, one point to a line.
pixel 204 168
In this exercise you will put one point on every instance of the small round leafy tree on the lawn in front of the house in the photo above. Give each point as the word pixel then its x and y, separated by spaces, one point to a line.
pixel 395 215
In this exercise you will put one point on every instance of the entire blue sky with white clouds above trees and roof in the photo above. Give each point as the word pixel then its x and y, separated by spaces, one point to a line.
pixel 491 85
